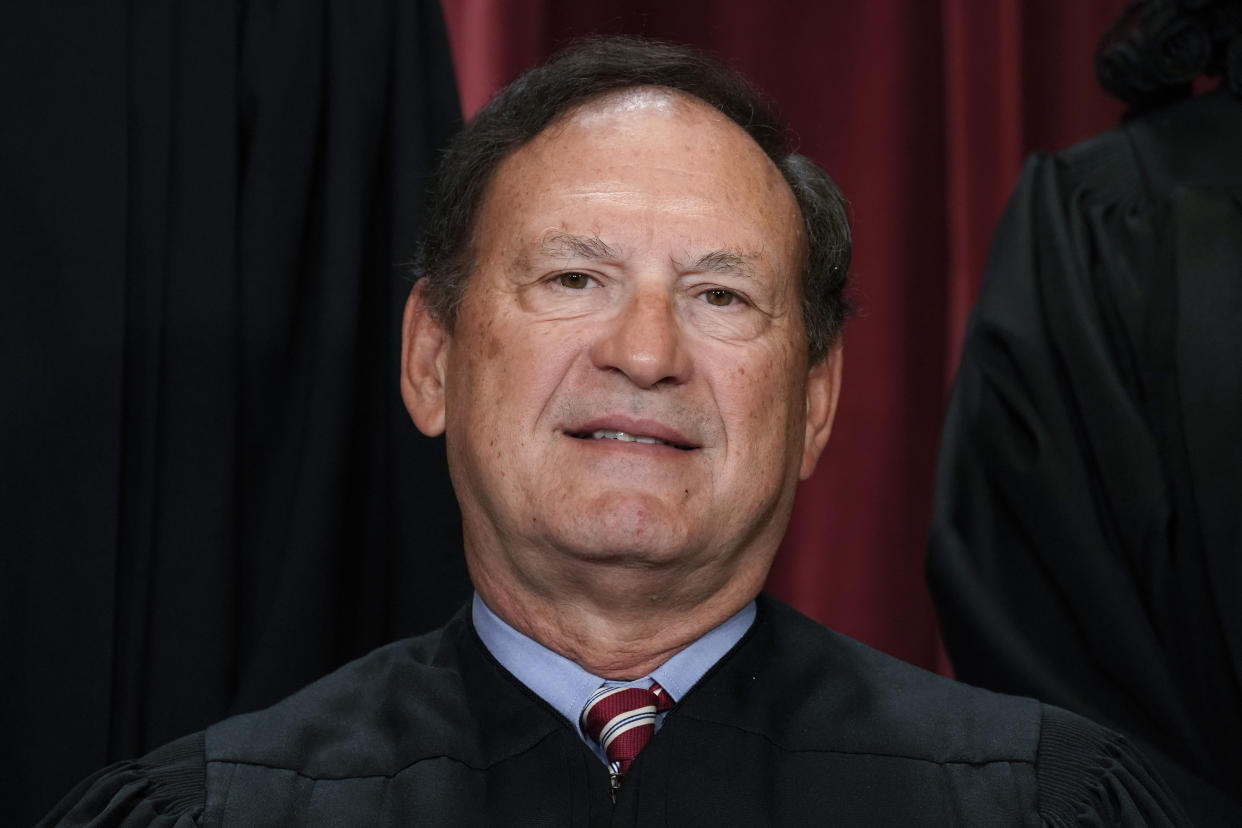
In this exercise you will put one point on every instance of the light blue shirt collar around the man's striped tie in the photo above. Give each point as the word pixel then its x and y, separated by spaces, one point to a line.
pixel 567 687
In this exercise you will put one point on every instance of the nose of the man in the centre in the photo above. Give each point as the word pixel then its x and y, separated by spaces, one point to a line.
pixel 645 341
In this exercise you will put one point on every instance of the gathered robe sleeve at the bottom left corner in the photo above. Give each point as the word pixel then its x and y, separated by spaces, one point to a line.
pixel 165 789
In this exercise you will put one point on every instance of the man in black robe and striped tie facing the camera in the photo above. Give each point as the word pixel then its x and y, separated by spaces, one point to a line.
pixel 628 330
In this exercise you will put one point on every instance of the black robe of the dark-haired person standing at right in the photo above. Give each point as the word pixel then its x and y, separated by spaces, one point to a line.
pixel 1087 537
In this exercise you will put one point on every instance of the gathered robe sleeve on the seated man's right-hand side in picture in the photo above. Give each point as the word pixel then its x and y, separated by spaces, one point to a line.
pixel 1091 778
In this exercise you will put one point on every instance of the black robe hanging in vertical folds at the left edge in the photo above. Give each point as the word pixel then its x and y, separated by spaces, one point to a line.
pixel 211 492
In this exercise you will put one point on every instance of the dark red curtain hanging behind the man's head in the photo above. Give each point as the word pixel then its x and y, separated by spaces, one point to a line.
pixel 923 114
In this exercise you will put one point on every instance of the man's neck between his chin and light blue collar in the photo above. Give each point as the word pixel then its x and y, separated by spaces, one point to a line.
pixel 620 624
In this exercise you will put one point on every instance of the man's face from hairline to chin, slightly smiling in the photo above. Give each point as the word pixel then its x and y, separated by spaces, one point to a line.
pixel 628 380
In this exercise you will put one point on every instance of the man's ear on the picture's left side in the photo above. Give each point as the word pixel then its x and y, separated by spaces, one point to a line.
pixel 424 351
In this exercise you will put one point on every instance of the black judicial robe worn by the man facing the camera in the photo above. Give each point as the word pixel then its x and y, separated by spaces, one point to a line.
pixel 797 726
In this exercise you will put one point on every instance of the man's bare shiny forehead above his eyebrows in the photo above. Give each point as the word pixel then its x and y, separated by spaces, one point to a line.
pixel 649 153
